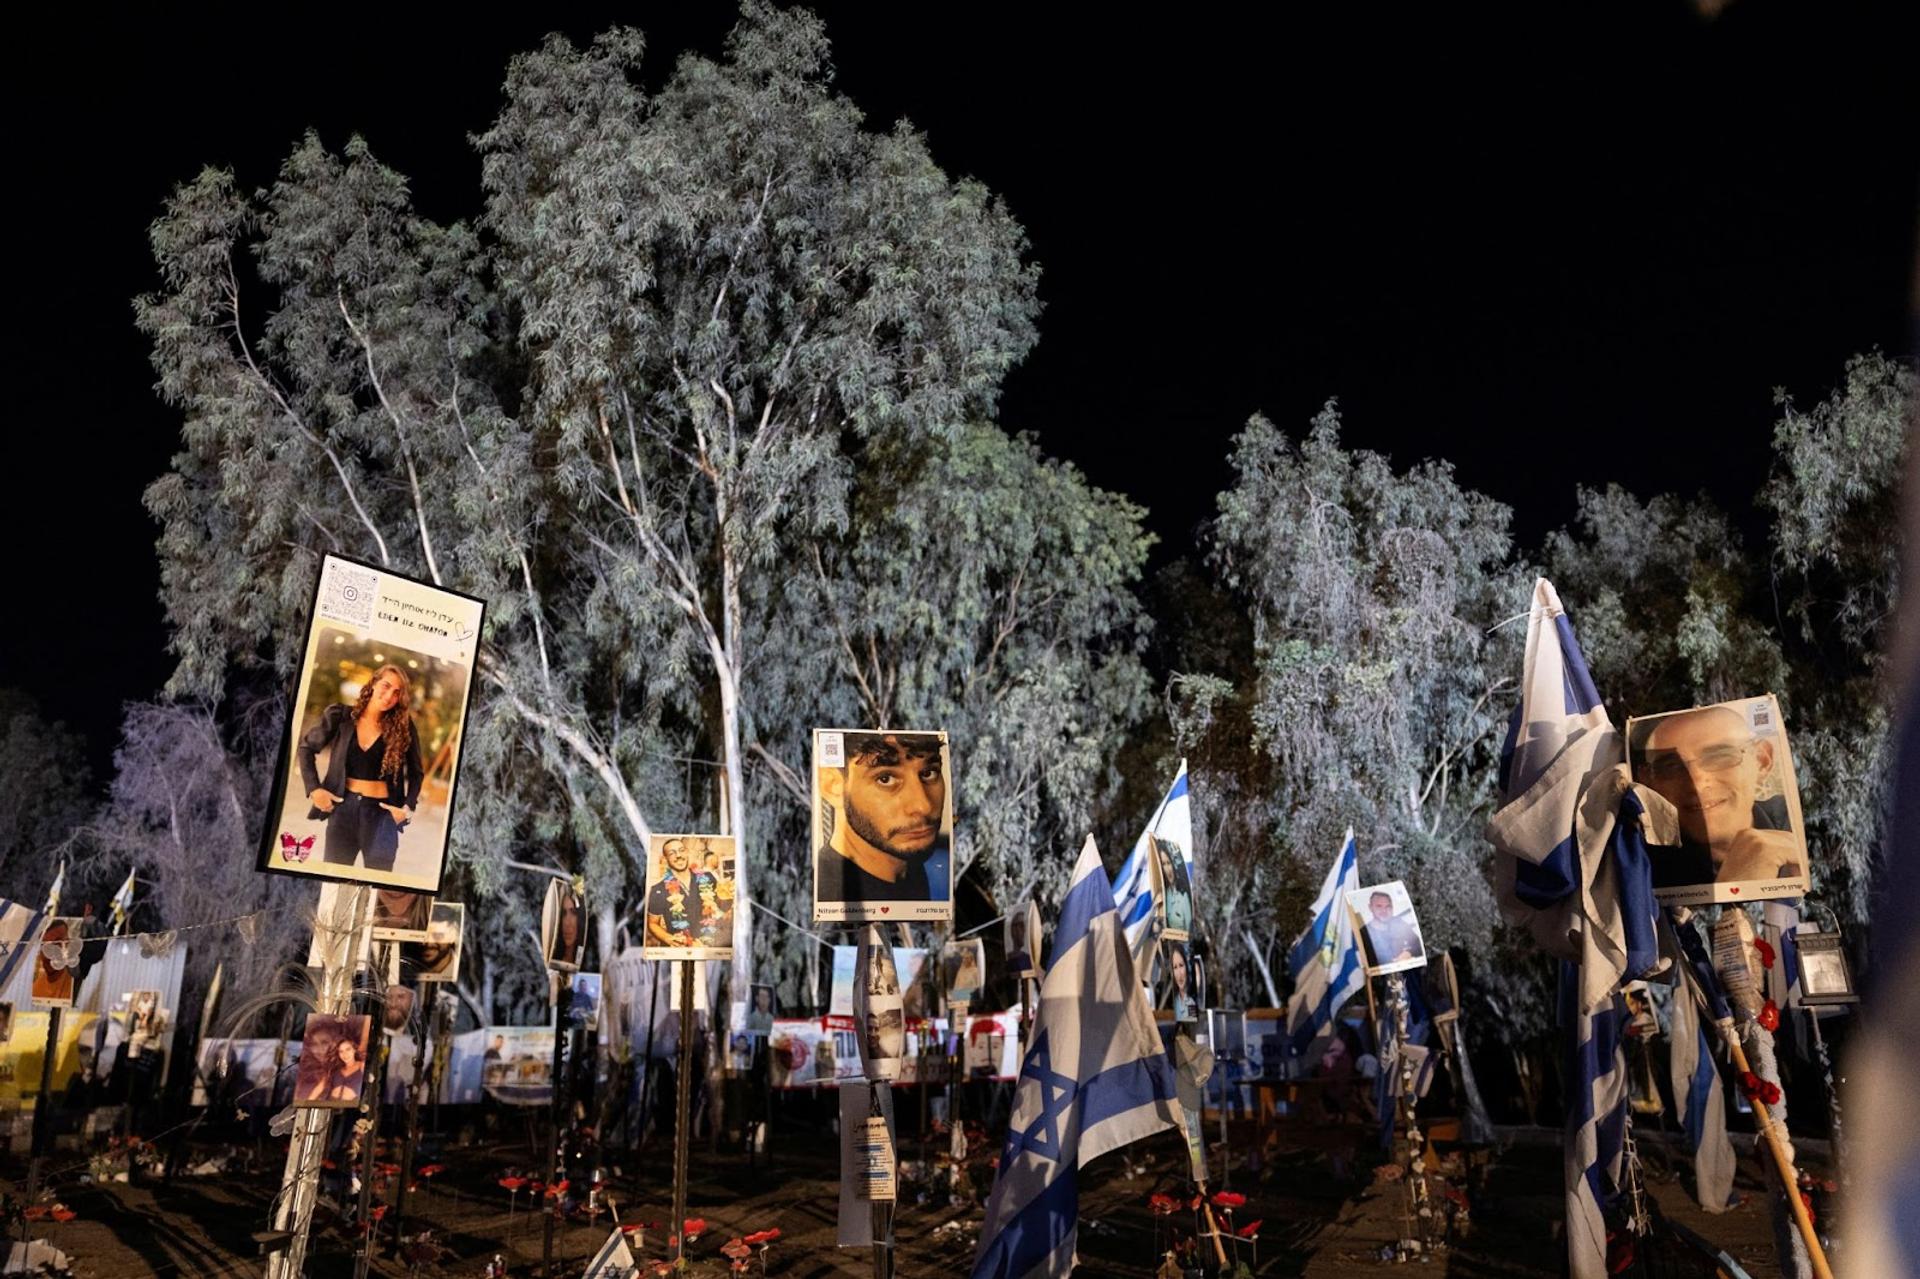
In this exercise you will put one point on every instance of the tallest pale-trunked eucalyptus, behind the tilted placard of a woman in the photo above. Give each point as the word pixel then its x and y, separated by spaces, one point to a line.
pixel 621 410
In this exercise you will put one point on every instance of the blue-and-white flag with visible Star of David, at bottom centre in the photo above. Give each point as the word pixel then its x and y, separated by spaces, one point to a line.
pixel 1095 1080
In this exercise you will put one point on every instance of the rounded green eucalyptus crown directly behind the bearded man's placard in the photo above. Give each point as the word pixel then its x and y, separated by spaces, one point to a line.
pixel 988 591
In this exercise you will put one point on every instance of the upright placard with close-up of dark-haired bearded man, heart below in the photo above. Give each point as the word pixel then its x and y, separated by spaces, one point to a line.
pixel 882 834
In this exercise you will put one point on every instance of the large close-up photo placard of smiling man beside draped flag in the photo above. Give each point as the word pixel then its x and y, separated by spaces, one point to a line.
pixel 1729 775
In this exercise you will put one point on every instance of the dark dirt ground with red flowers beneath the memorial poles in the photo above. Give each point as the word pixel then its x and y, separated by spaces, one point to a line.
pixel 1316 1220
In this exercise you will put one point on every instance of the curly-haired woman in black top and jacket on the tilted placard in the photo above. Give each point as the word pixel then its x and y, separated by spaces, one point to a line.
pixel 373 771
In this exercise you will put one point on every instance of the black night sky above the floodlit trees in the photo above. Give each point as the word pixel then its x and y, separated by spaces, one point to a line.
pixel 1595 239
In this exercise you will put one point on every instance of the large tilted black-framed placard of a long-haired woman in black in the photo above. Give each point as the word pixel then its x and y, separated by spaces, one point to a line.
pixel 364 792
